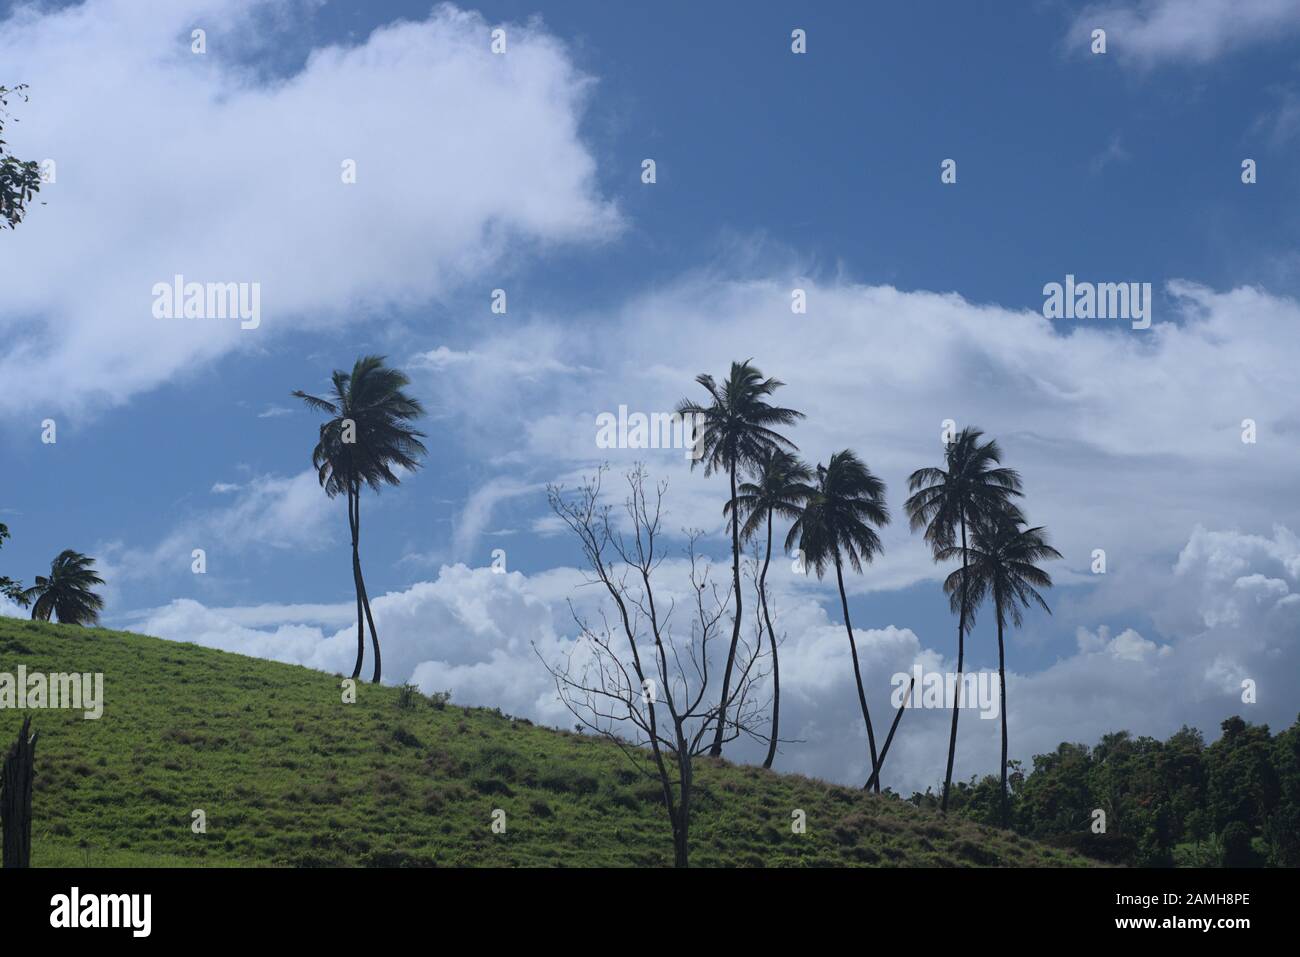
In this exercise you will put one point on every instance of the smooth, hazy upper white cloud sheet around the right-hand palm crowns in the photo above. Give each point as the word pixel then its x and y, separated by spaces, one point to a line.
pixel 1103 422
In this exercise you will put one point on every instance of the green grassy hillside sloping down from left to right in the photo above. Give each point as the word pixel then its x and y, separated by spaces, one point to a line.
pixel 291 776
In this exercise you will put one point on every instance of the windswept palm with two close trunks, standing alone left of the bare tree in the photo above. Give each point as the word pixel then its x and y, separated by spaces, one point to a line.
pixel 365 440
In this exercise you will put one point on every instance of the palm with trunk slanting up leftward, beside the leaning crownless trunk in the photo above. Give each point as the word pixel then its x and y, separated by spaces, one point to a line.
pixel 837 525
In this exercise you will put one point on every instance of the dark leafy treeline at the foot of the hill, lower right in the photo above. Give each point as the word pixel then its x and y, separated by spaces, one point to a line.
pixel 1177 803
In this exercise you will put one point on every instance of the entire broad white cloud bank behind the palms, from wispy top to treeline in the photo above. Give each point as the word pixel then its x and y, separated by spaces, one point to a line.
pixel 1104 423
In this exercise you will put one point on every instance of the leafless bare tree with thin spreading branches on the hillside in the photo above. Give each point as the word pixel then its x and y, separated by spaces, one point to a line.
pixel 638 677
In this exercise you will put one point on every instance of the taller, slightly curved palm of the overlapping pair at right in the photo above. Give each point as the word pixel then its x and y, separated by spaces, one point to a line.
pixel 944 503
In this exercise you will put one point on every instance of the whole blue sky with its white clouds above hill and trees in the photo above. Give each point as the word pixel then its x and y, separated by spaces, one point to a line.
pixel 775 171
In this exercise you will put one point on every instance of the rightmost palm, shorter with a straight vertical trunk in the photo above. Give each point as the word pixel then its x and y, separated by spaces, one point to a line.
pixel 1003 566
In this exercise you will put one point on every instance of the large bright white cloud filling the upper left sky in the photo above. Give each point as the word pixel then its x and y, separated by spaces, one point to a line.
pixel 462 158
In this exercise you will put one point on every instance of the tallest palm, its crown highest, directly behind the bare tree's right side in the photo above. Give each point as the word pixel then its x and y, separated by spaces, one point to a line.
pixel 739 431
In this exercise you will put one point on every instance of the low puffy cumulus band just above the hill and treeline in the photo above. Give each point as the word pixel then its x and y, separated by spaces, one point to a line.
pixel 474 633
